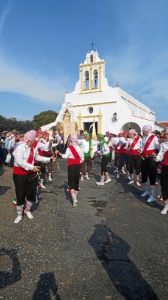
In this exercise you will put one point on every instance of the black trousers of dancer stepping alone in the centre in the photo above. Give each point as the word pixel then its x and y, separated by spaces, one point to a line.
pixel 73 177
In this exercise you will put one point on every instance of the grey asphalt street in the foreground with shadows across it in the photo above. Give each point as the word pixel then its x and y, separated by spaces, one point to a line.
pixel 112 246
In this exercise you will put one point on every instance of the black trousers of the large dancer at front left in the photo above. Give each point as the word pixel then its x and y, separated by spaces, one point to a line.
pixel 25 187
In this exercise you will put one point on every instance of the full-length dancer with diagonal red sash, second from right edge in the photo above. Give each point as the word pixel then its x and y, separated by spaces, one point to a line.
pixel 149 146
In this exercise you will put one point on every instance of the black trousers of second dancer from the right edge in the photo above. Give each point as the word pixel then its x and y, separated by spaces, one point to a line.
pixel 148 170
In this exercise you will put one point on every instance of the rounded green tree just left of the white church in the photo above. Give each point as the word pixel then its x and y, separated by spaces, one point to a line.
pixel 44 118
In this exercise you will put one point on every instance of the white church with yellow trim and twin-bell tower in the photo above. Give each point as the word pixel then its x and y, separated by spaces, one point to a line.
pixel 109 108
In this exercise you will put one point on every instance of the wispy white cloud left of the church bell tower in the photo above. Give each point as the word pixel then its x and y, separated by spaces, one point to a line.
pixel 36 86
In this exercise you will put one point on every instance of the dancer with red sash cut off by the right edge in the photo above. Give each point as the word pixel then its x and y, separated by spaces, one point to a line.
pixel 162 156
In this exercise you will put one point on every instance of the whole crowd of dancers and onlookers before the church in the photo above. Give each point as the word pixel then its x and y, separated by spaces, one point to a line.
pixel 138 156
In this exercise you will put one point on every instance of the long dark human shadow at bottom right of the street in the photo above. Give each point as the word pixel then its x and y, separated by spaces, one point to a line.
pixel 112 251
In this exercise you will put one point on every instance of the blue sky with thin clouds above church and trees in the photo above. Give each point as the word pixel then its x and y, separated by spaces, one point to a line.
pixel 42 42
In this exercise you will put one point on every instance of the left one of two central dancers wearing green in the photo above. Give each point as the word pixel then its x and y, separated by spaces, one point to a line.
pixel 86 144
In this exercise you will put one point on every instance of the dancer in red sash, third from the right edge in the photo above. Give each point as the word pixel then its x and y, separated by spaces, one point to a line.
pixel 134 158
